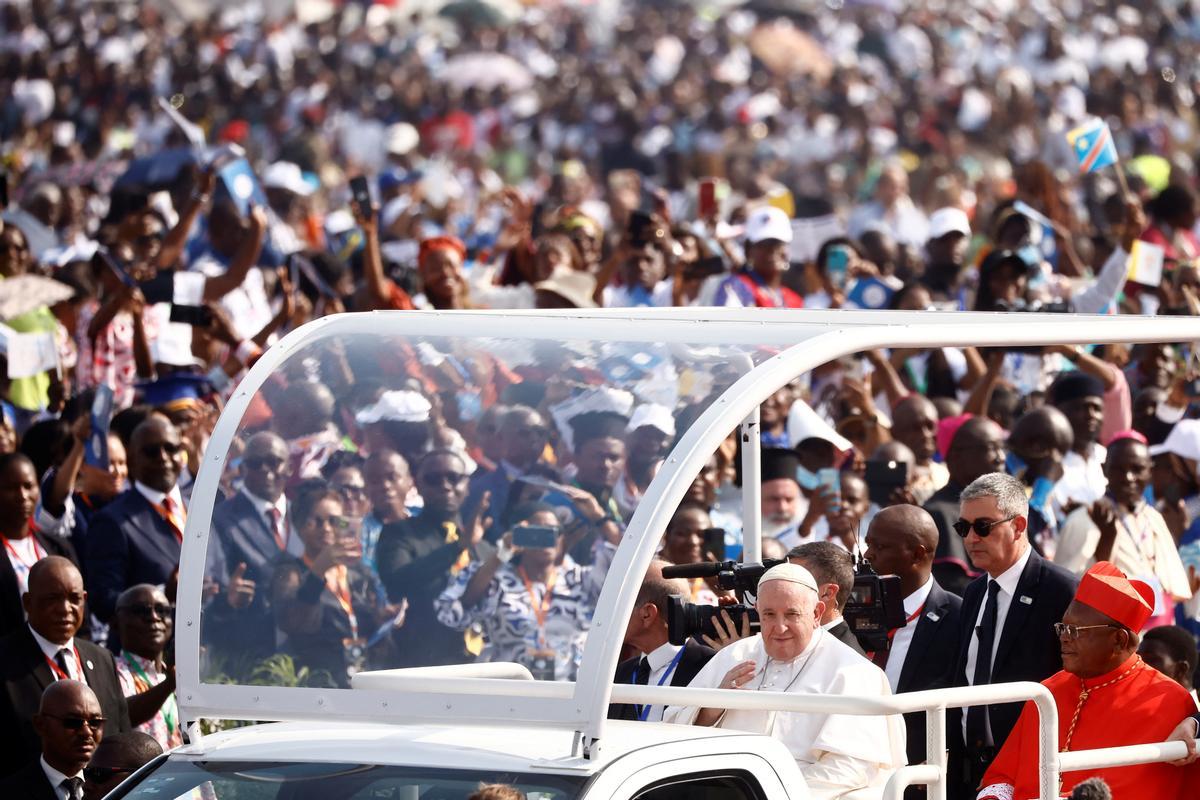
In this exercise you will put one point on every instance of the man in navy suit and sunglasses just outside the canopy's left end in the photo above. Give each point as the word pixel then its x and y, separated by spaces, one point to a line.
pixel 136 539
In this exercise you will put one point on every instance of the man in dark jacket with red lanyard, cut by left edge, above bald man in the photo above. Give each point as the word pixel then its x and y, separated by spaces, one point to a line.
pixel 23 546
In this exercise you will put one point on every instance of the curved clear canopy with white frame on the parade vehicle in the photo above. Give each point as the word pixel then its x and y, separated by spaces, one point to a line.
pixel 427 386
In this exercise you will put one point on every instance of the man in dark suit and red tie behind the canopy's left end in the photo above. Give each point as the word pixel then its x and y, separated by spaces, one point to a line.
pixel 253 531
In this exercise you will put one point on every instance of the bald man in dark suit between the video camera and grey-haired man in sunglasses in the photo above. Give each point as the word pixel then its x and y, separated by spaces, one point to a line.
pixel 903 542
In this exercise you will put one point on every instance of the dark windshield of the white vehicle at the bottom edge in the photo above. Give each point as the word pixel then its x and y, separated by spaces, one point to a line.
pixel 188 780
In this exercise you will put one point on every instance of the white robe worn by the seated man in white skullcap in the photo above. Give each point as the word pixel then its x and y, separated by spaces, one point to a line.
pixel 837 754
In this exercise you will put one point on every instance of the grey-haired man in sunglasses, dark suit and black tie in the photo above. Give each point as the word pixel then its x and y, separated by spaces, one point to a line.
pixel 1009 618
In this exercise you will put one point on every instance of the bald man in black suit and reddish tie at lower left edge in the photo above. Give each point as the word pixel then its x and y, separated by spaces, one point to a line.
pixel 34 657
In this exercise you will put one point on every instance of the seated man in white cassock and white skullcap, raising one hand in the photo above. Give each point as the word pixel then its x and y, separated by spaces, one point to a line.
pixel 837 754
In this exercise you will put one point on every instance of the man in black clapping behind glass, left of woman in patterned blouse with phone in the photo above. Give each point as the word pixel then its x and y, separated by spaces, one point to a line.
pixel 418 556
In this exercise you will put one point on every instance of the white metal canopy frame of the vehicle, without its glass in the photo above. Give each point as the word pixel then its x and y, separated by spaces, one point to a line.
pixel 812 339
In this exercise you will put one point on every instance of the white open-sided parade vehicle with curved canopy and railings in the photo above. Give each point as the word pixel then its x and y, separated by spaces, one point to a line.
pixel 437 733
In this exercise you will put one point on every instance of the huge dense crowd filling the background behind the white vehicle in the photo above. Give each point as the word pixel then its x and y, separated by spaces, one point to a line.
pixel 181 194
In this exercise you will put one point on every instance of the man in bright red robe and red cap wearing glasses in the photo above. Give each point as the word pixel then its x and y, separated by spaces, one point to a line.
pixel 1107 697
